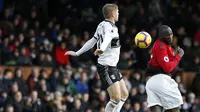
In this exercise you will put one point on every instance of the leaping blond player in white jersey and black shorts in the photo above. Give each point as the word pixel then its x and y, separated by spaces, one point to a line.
pixel 108 49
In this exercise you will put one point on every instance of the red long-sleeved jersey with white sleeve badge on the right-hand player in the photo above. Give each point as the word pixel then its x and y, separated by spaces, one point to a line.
pixel 163 57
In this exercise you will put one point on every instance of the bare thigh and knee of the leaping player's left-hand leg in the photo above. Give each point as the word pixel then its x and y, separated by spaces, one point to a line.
pixel 114 91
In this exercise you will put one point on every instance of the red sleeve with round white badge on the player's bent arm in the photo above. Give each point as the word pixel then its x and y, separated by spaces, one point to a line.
pixel 164 61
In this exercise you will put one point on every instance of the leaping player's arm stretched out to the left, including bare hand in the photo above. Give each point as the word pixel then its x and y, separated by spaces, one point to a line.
pixel 88 45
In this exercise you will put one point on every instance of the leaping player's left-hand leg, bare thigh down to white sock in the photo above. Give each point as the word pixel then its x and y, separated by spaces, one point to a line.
pixel 115 97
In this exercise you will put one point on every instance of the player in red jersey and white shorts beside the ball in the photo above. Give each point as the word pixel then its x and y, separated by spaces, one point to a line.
pixel 162 90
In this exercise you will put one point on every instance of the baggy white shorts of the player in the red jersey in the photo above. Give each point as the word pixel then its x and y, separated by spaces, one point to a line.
pixel 162 90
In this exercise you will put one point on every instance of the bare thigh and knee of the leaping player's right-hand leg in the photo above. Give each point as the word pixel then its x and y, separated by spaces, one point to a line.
pixel 123 89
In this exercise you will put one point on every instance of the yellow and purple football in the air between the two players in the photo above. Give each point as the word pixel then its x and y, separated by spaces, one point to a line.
pixel 143 39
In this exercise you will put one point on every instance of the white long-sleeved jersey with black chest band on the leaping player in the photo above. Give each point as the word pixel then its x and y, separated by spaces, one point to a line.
pixel 107 39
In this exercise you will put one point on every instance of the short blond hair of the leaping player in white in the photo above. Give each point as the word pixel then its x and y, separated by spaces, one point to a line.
pixel 107 10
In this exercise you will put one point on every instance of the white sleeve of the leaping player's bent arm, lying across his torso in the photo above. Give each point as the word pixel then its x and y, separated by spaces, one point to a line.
pixel 108 36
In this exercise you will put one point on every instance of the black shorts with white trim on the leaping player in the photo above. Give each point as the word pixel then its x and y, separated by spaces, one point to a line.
pixel 108 74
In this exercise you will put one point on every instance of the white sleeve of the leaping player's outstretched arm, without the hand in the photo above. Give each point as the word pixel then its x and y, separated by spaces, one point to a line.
pixel 88 45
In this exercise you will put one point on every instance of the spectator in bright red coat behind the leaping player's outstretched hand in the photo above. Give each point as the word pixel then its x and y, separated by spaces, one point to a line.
pixel 60 50
